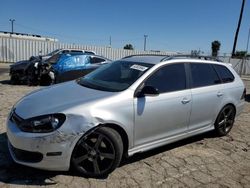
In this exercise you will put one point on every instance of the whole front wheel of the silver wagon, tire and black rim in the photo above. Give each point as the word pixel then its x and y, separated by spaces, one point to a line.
pixel 98 154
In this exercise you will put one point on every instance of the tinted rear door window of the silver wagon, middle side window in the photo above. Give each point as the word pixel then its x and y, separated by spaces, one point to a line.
pixel 203 75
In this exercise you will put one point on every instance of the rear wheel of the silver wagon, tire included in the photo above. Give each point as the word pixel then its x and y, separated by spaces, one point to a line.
pixel 225 120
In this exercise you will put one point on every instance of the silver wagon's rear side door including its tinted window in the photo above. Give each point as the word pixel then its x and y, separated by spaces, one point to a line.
pixel 207 95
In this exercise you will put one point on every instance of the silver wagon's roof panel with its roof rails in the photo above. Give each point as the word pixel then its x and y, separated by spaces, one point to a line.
pixel 155 59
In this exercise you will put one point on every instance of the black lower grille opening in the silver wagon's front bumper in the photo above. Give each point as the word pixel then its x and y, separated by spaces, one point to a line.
pixel 26 156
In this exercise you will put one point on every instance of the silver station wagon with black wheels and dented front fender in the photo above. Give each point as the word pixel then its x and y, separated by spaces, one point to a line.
pixel 128 106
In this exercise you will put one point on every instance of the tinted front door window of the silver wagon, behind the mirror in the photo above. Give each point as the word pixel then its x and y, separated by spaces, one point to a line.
pixel 168 78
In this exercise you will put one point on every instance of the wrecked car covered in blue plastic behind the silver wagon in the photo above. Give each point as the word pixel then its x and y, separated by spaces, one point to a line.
pixel 65 67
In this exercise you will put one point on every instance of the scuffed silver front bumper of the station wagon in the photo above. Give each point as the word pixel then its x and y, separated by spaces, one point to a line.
pixel 48 151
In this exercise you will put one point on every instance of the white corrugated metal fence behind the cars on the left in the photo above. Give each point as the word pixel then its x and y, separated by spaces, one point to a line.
pixel 13 49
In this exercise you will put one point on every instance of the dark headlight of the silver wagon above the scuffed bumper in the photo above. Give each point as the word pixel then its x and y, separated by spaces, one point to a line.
pixel 43 124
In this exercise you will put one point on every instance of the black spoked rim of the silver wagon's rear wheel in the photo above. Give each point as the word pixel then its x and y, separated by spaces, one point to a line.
pixel 226 119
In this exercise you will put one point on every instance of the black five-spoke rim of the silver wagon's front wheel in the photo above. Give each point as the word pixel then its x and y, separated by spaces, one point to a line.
pixel 94 155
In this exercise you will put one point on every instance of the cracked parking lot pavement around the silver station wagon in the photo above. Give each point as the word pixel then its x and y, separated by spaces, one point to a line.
pixel 201 161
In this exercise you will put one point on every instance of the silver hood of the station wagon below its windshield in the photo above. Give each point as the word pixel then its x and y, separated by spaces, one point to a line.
pixel 57 98
